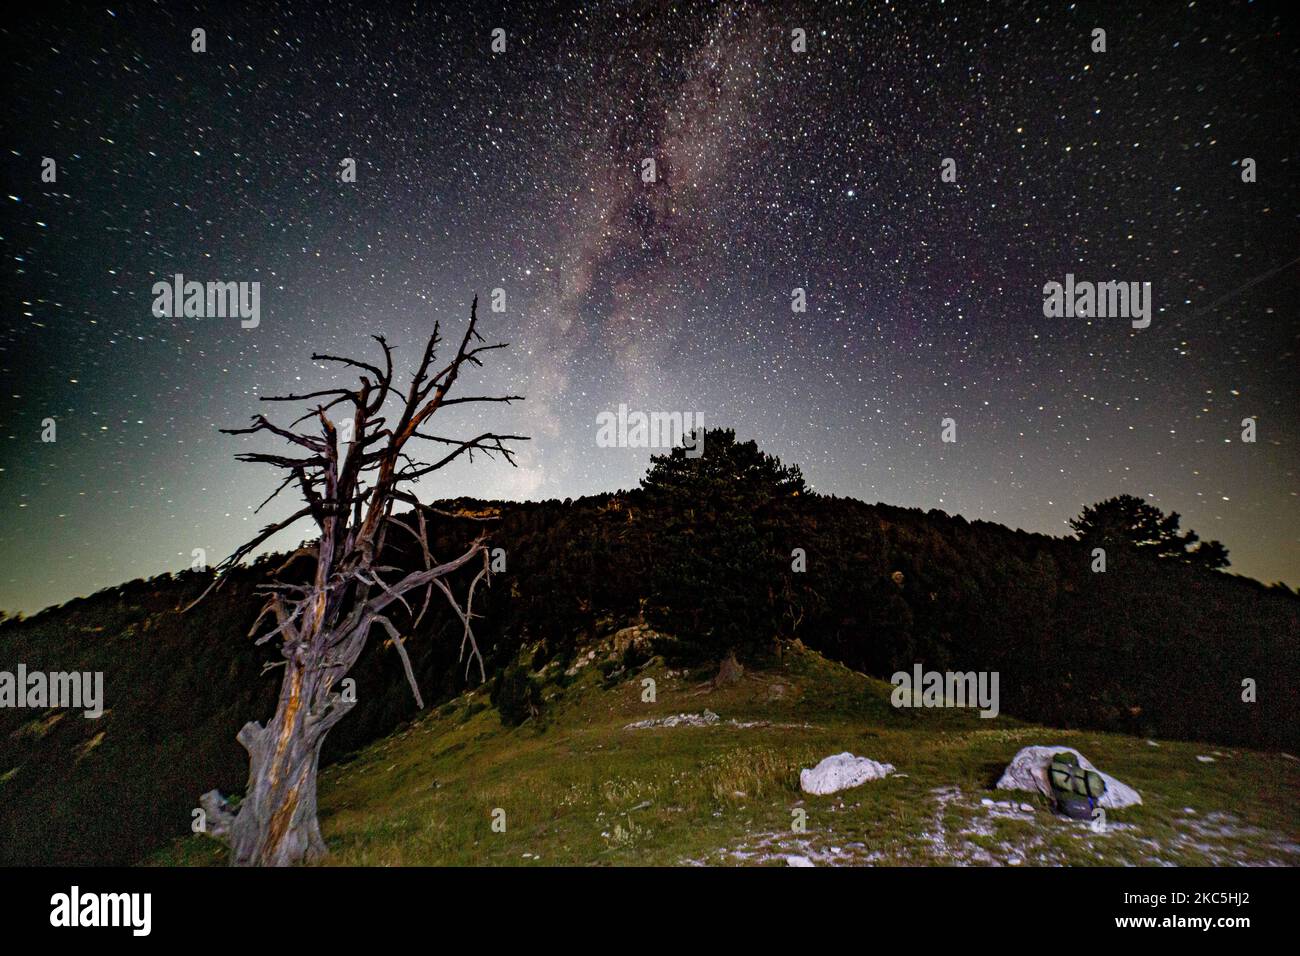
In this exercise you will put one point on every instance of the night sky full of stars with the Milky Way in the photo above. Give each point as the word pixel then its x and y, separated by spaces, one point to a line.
pixel 777 170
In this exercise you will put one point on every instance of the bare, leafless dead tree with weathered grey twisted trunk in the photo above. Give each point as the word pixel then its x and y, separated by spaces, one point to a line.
pixel 350 485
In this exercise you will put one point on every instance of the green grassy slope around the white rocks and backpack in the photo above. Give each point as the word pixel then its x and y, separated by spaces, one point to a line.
pixel 580 789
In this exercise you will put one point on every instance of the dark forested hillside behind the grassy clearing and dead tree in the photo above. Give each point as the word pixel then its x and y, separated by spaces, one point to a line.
pixel 1150 648
